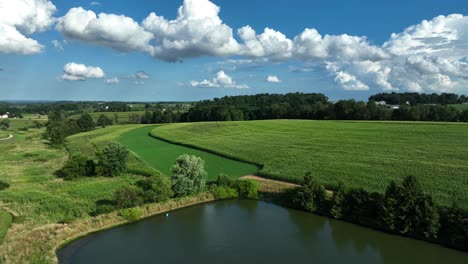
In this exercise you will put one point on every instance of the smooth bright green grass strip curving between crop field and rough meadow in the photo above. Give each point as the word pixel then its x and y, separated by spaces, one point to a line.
pixel 162 155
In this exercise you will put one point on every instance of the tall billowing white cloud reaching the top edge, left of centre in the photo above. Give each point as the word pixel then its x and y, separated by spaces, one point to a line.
pixel 197 31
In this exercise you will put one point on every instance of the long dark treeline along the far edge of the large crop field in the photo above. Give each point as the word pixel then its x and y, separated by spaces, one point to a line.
pixel 317 106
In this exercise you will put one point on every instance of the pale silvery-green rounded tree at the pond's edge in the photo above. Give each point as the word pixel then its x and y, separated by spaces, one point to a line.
pixel 188 175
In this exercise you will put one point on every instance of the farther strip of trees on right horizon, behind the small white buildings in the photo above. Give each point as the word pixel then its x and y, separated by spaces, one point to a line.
pixel 420 98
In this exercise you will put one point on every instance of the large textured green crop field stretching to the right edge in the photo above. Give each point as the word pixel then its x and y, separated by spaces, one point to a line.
pixel 361 154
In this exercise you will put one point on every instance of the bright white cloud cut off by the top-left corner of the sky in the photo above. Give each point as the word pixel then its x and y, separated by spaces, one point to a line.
pixel 21 18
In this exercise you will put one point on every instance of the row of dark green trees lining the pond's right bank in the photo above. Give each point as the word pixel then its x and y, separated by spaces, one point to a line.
pixel 403 209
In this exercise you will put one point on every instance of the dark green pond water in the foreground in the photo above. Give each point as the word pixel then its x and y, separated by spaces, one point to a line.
pixel 249 232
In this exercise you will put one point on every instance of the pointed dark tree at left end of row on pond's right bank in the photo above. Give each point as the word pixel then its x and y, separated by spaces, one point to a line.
pixel 311 195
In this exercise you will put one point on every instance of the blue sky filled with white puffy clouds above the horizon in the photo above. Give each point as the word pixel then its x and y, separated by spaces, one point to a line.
pixel 176 50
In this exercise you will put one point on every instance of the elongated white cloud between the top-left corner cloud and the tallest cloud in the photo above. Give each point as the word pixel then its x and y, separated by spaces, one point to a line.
pixel 115 31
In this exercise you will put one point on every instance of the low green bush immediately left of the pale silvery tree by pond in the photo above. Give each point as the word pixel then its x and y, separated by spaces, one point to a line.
pixel 155 189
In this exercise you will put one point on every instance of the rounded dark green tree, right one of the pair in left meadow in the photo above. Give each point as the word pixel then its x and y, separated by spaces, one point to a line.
pixel 112 160
